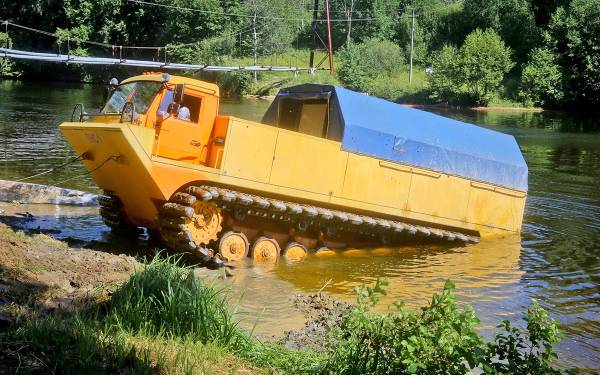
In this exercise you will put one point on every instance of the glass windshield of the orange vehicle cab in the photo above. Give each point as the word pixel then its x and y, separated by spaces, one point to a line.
pixel 140 93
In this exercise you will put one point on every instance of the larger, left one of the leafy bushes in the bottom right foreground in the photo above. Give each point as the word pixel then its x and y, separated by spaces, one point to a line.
pixel 441 338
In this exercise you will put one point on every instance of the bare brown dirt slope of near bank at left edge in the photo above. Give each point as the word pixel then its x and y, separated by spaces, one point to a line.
pixel 39 274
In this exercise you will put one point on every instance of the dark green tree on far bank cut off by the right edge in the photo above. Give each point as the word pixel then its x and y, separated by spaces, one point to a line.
pixel 574 37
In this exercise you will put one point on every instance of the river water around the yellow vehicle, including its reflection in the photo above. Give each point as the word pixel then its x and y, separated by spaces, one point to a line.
pixel 555 260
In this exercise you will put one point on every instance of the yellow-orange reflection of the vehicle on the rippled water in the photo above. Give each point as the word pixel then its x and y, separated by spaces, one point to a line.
pixel 487 271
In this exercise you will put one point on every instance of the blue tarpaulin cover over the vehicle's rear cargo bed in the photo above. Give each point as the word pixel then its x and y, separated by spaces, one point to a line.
pixel 390 131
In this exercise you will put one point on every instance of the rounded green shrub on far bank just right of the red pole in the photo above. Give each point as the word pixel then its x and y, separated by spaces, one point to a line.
pixel 362 63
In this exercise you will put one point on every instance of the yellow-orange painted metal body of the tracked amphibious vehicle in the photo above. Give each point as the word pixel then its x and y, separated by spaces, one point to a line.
pixel 155 160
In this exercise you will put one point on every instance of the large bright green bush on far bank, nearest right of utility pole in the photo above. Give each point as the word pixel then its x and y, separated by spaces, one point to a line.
pixel 474 72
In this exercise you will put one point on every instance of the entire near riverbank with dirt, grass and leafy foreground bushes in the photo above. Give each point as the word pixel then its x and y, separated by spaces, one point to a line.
pixel 157 316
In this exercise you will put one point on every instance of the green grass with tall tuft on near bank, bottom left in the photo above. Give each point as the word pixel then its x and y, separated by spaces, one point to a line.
pixel 162 320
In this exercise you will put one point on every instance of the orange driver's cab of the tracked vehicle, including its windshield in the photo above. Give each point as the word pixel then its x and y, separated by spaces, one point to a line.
pixel 181 112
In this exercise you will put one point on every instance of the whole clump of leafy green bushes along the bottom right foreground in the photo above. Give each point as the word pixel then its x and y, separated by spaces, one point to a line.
pixel 440 338
